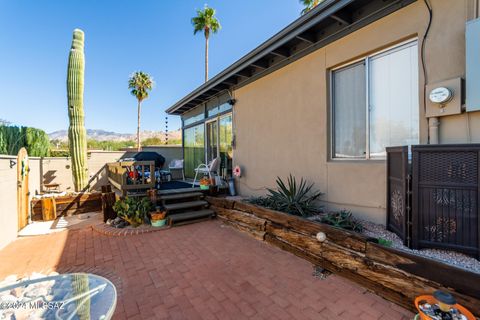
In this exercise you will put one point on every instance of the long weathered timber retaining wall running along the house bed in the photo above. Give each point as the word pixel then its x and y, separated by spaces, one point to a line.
pixel 395 275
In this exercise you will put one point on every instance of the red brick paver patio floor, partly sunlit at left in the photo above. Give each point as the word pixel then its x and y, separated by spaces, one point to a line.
pixel 199 271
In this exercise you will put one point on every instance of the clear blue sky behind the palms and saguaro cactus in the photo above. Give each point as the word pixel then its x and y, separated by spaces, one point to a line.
pixel 122 36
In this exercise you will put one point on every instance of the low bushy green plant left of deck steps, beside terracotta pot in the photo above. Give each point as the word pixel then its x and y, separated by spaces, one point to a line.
pixel 133 210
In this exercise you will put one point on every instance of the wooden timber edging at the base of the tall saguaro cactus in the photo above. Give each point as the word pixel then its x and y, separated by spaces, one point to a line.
pixel 70 204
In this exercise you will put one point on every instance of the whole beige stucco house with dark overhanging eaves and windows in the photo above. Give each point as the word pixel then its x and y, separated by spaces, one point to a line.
pixel 324 97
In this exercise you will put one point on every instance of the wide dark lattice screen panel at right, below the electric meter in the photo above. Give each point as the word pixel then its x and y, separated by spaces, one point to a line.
pixel 445 197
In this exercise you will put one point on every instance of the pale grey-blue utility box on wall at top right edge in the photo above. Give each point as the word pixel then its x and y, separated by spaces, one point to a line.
pixel 472 38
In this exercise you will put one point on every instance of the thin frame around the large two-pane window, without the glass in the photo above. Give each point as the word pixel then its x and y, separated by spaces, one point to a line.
pixel 366 60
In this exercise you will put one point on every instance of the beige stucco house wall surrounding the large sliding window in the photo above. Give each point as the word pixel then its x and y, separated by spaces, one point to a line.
pixel 281 121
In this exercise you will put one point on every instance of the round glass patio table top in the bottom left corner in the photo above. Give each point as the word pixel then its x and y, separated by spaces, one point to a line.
pixel 72 296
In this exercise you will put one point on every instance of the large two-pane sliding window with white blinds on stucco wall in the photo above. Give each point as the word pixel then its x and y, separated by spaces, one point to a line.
pixel 375 104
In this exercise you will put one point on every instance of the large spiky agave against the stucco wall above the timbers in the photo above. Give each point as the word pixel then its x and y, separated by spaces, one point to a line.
pixel 294 198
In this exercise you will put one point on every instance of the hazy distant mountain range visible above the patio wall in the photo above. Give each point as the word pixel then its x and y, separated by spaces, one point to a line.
pixel 102 135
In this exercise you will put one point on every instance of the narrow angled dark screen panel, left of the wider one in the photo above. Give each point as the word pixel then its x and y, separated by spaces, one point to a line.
pixel 398 192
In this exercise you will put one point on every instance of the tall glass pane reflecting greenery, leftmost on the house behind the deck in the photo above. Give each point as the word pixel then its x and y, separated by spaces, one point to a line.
pixel 194 149
